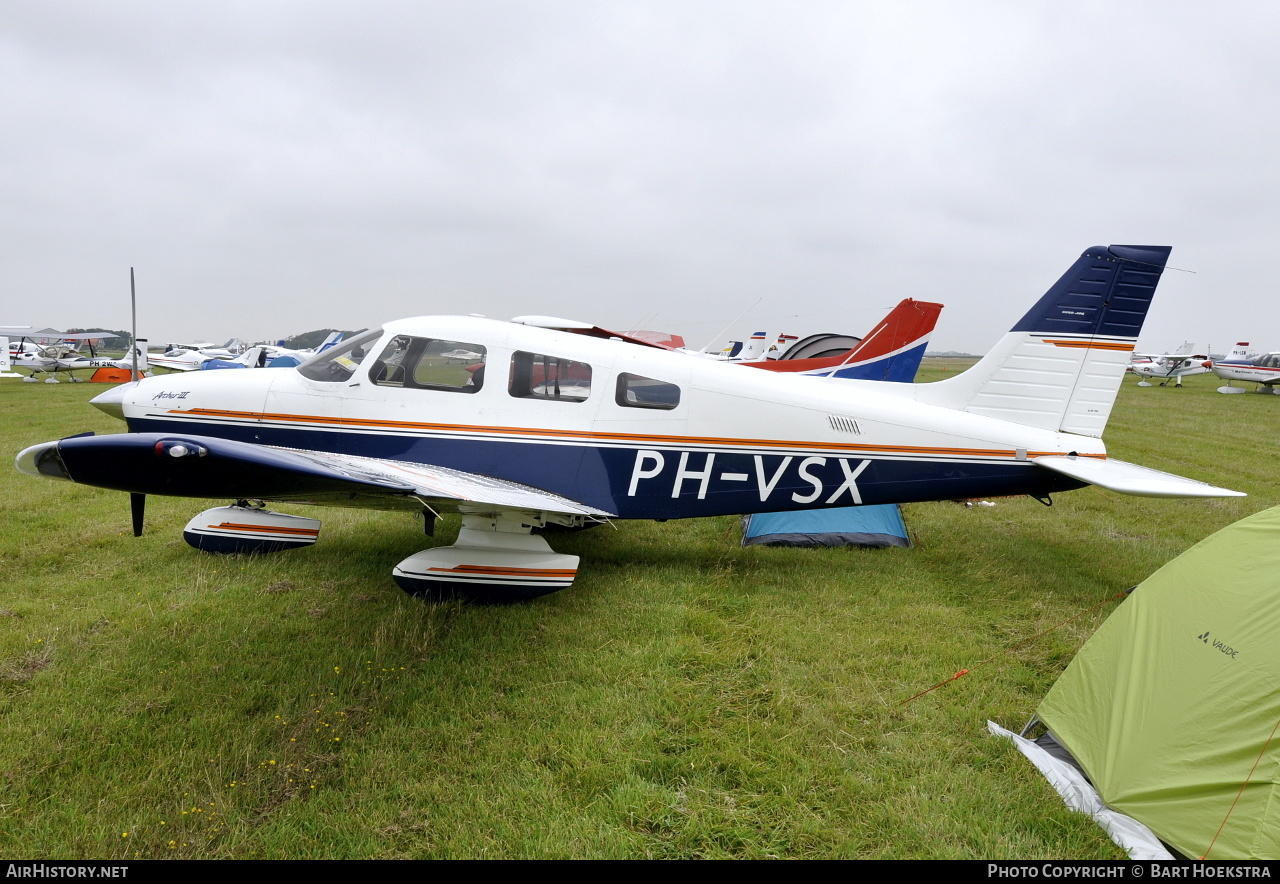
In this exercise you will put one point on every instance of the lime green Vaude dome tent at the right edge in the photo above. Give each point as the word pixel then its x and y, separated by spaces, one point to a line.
pixel 1172 709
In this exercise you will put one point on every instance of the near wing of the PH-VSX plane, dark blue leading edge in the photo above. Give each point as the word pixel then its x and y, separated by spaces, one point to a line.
pixel 191 466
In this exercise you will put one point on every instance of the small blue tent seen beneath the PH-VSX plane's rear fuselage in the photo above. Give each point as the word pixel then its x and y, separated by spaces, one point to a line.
pixel 843 526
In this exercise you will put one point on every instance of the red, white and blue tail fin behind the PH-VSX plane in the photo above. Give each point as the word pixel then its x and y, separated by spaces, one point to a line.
pixel 890 352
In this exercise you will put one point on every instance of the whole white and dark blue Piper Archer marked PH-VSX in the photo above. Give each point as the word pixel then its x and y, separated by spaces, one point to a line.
pixel 572 429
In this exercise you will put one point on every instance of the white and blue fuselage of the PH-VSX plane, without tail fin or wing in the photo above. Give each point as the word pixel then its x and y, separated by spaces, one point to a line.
pixel 734 441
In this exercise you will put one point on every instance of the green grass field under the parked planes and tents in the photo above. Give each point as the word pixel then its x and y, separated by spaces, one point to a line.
pixel 687 698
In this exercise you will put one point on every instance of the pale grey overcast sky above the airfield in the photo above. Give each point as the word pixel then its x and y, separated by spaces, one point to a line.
pixel 272 167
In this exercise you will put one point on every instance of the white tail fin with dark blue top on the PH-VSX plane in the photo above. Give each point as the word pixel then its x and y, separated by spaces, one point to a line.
pixel 1062 365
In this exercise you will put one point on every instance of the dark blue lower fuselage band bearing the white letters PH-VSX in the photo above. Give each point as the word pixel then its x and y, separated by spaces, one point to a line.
pixel 604 477
